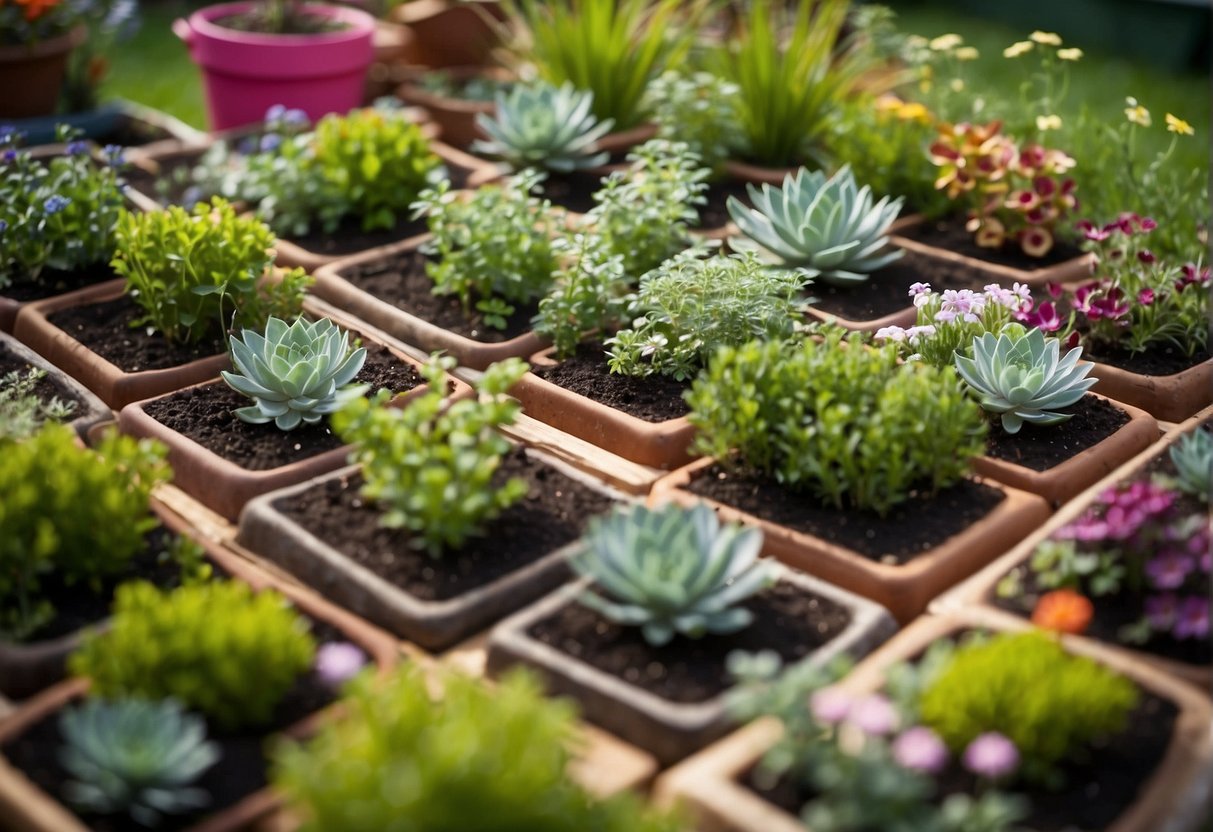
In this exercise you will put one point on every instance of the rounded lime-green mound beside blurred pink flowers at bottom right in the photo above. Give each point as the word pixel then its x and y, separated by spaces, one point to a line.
pixel 1026 687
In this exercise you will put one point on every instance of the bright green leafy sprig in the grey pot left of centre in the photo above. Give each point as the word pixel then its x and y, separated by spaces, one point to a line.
pixel 431 466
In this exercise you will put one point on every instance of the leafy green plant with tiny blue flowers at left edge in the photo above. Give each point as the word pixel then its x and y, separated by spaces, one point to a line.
pixel 58 213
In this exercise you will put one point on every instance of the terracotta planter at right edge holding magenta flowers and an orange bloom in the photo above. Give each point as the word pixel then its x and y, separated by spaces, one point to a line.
pixel 981 590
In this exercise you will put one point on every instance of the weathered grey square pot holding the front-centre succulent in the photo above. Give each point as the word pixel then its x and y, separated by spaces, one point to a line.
pixel 669 731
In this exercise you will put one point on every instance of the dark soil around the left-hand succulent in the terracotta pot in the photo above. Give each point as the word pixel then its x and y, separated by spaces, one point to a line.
pixel 207 417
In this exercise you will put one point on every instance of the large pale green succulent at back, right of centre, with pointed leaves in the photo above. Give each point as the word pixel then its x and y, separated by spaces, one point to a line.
pixel 827 229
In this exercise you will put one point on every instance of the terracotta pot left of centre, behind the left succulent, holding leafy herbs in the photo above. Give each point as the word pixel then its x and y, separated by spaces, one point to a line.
pixel 408 328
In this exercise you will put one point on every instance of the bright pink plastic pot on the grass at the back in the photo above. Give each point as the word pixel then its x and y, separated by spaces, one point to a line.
pixel 247 73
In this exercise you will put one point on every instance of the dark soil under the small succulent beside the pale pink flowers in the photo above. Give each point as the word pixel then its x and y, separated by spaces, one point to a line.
pixel 1041 448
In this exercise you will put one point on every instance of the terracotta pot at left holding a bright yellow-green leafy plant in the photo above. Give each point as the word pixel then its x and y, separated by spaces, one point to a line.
pixel 112 385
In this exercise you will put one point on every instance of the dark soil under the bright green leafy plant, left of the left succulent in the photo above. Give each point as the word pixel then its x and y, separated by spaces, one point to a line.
pixel 106 329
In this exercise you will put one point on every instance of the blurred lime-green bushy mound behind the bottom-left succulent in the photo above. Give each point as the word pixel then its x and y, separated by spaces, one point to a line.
pixel 218 648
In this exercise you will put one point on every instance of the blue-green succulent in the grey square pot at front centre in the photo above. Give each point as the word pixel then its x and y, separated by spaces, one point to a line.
pixel 673 569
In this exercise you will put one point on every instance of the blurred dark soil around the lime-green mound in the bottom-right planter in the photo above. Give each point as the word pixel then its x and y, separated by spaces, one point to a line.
pixel 1097 789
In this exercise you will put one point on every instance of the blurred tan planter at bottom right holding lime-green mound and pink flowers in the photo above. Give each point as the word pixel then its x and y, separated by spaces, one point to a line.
pixel 709 785
